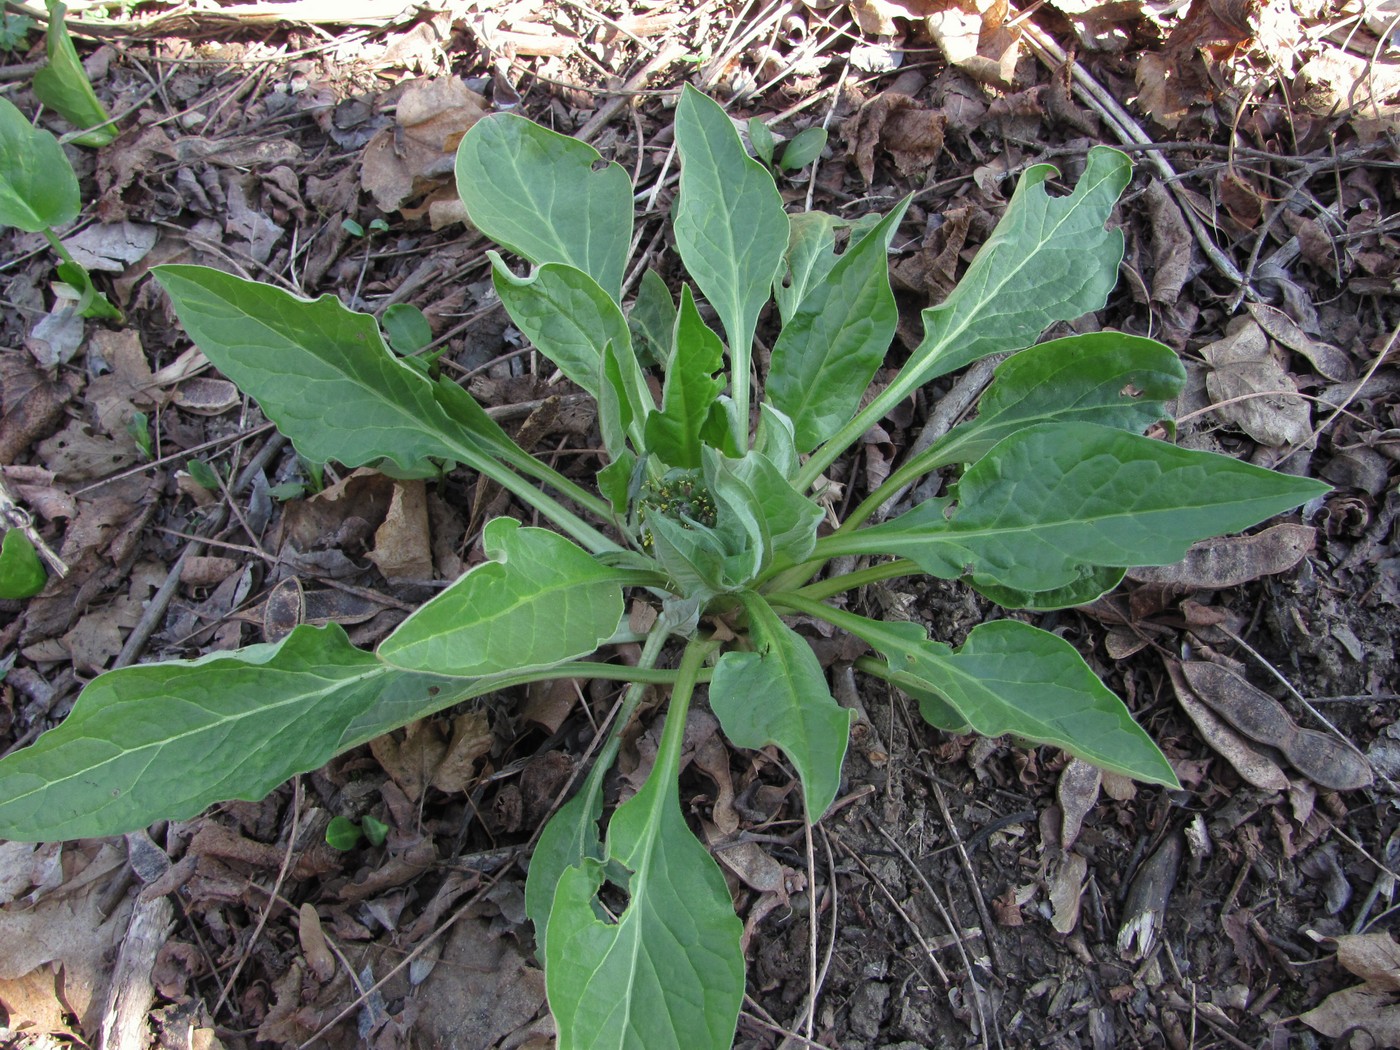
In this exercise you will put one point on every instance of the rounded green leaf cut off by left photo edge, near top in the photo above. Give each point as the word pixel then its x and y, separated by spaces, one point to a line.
pixel 38 188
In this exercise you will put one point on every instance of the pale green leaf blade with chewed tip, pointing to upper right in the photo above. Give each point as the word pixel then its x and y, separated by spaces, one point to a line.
pixel 1049 260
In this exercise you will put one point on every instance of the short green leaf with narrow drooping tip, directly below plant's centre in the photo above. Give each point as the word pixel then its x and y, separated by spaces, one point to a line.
pixel 779 695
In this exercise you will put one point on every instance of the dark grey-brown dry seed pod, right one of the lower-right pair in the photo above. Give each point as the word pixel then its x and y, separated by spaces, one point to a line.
pixel 1328 762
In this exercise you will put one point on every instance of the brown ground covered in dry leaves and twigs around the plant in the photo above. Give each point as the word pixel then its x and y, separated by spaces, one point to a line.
pixel 965 892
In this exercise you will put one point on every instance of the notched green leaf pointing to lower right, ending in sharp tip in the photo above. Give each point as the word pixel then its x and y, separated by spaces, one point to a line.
pixel 1010 678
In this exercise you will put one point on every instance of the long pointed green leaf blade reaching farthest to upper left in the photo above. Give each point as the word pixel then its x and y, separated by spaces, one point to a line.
pixel 320 372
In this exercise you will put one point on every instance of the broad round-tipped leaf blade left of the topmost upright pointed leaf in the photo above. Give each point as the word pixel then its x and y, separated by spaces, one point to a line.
pixel 541 195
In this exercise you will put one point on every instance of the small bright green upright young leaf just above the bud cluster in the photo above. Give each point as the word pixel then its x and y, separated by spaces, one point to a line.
pixel 691 391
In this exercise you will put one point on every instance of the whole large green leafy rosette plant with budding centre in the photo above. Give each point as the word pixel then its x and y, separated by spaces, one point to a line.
pixel 706 507
